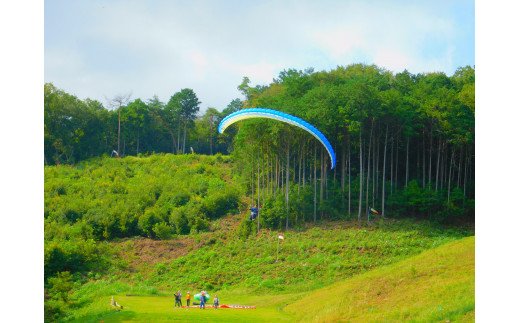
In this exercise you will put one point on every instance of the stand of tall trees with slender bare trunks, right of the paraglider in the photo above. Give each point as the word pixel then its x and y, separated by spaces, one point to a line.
pixel 403 141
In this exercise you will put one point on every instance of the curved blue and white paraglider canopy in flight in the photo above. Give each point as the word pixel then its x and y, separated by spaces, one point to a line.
pixel 280 116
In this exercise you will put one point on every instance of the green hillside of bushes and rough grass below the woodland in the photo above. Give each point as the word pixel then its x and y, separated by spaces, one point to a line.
pixel 146 226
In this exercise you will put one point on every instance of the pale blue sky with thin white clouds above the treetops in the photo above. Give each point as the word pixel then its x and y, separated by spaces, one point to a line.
pixel 99 49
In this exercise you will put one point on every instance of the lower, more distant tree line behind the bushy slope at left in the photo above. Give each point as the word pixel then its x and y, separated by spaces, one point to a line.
pixel 79 129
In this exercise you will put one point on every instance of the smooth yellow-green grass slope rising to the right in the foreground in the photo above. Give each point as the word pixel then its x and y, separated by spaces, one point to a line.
pixel 436 285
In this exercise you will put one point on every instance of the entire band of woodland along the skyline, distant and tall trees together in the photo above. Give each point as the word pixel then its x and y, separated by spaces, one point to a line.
pixel 404 142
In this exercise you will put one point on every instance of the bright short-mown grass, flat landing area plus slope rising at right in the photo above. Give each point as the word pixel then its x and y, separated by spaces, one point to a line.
pixel 437 285
